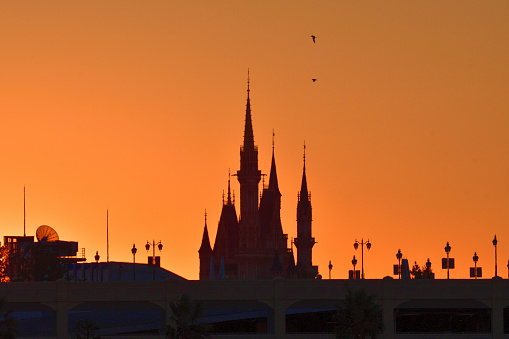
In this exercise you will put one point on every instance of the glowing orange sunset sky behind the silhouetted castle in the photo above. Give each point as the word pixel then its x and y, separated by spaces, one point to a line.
pixel 138 107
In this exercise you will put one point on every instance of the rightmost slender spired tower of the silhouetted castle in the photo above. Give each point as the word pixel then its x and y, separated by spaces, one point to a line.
pixel 304 241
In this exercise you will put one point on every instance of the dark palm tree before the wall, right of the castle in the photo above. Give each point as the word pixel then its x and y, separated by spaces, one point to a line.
pixel 358 316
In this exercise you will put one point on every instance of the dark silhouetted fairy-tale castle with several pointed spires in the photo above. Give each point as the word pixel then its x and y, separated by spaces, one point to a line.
pixel 253 245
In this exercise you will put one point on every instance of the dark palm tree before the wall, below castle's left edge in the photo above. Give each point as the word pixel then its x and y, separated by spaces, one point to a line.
pixel 184 320
